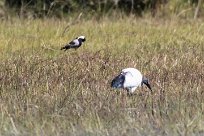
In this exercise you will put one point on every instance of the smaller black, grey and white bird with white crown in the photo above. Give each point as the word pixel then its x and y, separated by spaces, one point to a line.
pixel 74 44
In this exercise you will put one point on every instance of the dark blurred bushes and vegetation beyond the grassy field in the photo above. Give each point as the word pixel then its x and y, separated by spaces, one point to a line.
pixel 66 8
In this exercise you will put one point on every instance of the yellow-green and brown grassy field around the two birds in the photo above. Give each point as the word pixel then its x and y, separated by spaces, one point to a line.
pixel 45 91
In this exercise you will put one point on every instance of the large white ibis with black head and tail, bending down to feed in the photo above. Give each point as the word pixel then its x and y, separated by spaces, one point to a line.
pixel 130 79
